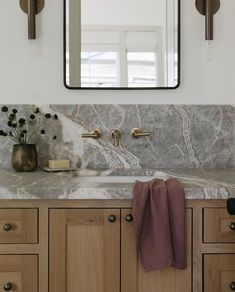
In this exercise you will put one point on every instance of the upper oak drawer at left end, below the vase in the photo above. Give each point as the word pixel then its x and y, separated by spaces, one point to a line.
pixel 18 225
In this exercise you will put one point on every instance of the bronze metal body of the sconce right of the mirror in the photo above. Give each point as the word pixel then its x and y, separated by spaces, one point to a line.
pixel 208 8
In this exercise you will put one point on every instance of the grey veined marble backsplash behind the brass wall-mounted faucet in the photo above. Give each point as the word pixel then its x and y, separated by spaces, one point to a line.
pixel 183 136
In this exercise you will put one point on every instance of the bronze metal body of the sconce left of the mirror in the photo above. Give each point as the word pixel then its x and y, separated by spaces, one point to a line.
pixel 32 7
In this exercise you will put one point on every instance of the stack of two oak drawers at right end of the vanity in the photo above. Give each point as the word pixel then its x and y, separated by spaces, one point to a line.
pixel 218 250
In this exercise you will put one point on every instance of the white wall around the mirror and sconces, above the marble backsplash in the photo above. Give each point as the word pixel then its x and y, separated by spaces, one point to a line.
pixel 40 80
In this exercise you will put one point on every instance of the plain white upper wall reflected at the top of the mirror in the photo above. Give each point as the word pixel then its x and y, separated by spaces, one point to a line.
pixel 123 12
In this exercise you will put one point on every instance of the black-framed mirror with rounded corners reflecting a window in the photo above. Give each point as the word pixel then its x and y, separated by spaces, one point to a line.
pixel 124 44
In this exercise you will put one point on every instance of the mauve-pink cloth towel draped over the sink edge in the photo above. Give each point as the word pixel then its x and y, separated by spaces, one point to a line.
pixel 159 219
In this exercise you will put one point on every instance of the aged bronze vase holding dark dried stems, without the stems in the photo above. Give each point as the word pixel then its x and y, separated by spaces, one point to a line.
pixel 24 157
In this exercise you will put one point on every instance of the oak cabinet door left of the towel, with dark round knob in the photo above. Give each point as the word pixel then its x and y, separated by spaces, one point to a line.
pixel 84 250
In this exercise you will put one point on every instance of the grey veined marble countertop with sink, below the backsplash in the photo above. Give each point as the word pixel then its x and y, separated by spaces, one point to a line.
pixel 83 184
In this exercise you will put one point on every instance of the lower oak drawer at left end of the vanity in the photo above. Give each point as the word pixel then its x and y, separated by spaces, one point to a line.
pixel 19 273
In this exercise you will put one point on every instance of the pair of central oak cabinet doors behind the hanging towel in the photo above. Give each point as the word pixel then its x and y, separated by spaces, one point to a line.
pixel 95 250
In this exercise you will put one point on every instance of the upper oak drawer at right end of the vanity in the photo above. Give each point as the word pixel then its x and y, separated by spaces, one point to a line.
pixel 219 226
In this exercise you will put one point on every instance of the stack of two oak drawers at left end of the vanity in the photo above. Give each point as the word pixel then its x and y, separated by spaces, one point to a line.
pixel 18 264
